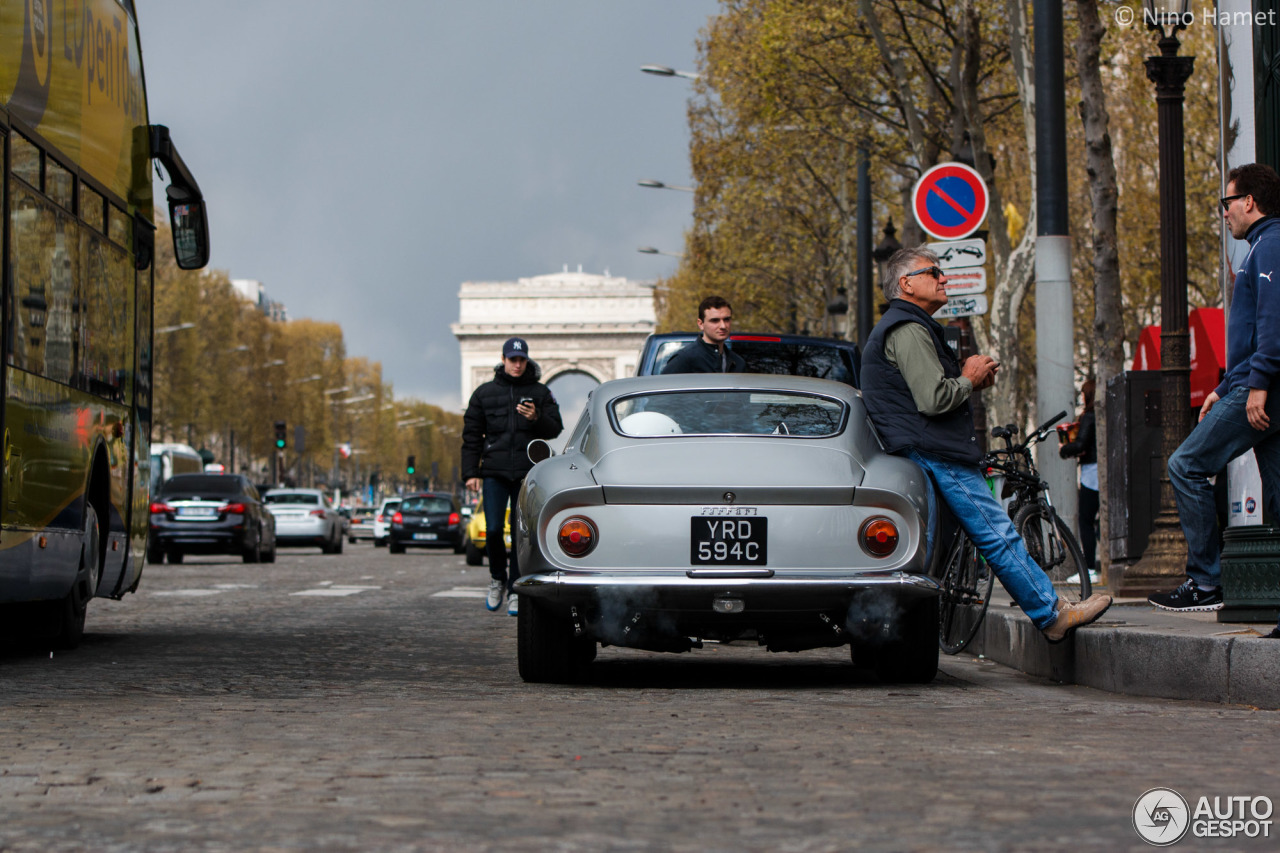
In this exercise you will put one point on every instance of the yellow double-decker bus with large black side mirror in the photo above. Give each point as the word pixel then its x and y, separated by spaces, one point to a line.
pixel 79 241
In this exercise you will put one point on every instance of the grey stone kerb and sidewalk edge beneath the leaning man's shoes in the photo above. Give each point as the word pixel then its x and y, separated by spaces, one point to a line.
pixel 1139 650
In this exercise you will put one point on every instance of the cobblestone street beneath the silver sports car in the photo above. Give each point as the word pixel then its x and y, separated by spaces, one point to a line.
pixel 368 701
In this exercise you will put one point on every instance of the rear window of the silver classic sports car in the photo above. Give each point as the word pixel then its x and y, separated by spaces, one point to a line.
pixel 729 413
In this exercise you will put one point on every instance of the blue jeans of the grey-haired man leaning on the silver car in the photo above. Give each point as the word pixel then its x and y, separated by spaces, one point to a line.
pixel 966 491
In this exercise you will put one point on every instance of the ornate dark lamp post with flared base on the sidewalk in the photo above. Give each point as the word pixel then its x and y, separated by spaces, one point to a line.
pixel 1165 560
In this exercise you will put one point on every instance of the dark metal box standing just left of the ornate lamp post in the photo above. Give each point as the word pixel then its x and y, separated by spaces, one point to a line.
pixel 1135 463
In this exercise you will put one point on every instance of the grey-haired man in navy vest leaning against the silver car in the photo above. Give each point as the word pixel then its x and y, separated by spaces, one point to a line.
pixel 917 394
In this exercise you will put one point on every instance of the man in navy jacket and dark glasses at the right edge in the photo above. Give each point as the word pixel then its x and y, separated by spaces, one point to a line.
pixel 1244 412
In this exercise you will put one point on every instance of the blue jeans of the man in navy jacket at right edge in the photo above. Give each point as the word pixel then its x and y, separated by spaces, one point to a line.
pixel 1224 435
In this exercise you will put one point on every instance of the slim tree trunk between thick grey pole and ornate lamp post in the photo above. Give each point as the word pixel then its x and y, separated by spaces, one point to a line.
pixel 1108 314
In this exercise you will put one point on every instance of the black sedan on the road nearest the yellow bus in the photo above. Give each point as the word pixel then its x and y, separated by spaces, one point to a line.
pixel 211 514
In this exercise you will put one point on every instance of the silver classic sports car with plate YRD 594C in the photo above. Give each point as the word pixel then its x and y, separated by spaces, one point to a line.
pixel 705 508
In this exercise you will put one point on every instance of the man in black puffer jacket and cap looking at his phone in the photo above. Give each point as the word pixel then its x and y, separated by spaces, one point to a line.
pixel 502 418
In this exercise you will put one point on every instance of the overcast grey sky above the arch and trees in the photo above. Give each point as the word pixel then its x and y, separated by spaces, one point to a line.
pixel 364 159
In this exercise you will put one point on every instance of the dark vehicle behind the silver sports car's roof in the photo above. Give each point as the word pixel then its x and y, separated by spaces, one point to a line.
pixel 796 355
